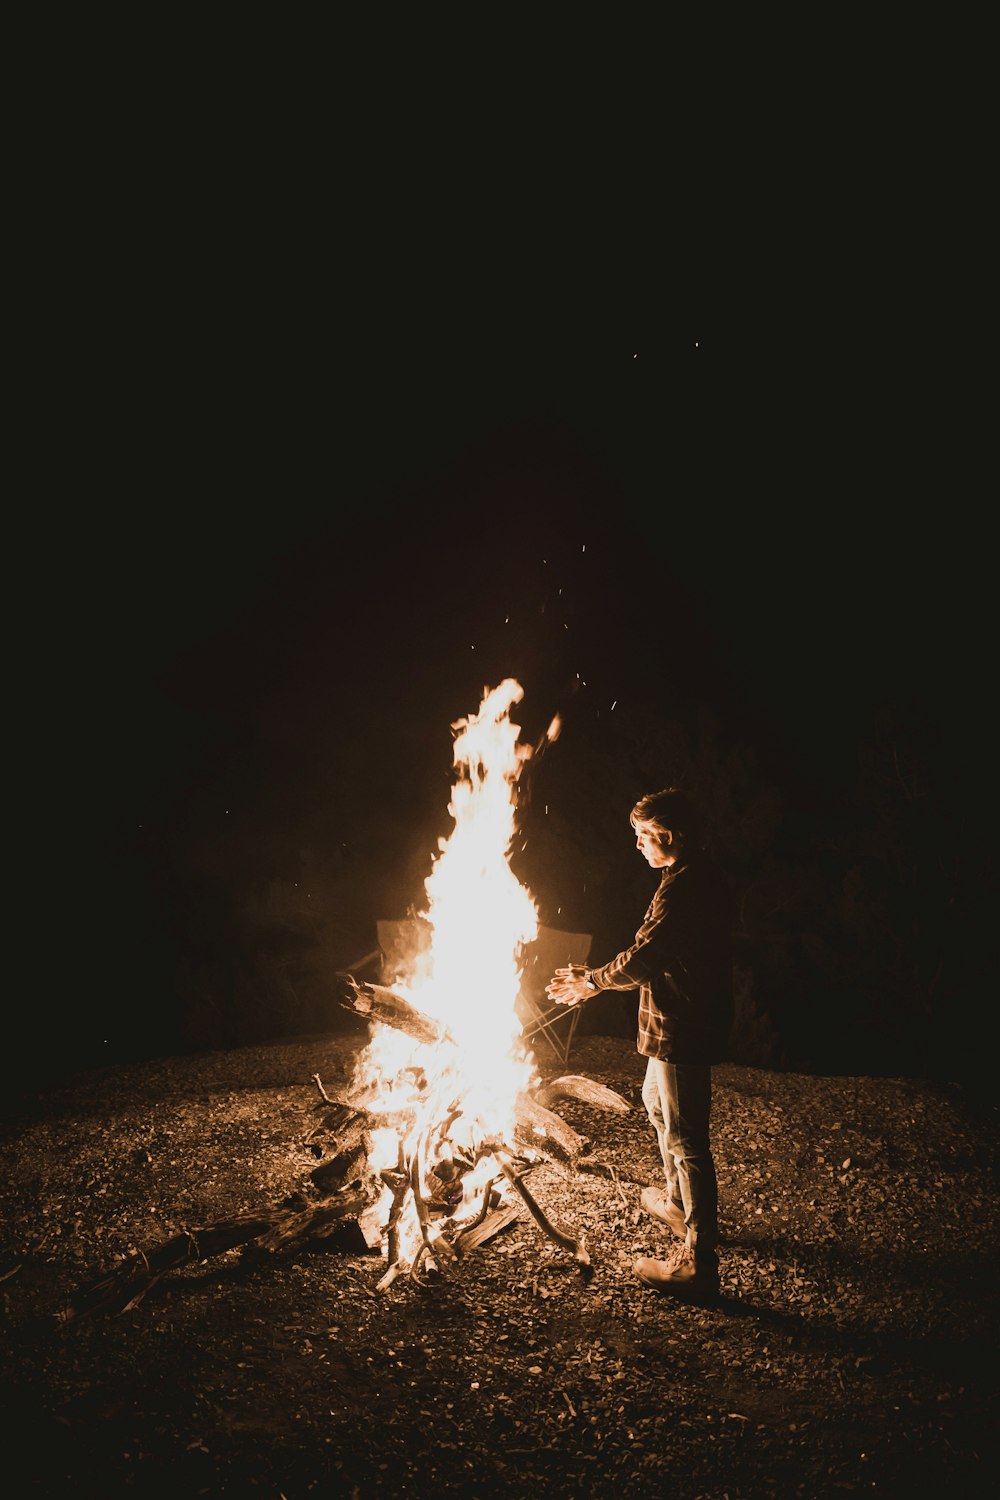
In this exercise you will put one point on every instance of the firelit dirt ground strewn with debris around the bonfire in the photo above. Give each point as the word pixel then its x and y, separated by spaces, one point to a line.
pixel 854 1349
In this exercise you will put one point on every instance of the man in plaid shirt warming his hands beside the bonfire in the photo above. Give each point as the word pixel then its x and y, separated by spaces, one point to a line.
pixel 681 965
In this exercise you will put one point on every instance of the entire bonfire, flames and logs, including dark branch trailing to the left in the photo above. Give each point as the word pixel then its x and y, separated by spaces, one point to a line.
pixel 425 1157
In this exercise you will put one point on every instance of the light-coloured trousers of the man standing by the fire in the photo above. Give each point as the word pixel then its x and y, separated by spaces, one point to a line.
pixel 678 1100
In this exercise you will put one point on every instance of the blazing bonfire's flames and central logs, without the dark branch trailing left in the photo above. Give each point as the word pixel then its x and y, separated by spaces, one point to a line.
pixel 448 1084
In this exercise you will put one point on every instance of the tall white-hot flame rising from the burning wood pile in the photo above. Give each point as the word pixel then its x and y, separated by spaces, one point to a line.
pixel 481 919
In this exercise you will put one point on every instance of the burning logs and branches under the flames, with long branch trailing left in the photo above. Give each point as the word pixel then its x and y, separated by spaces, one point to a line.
pixel 343 1201
